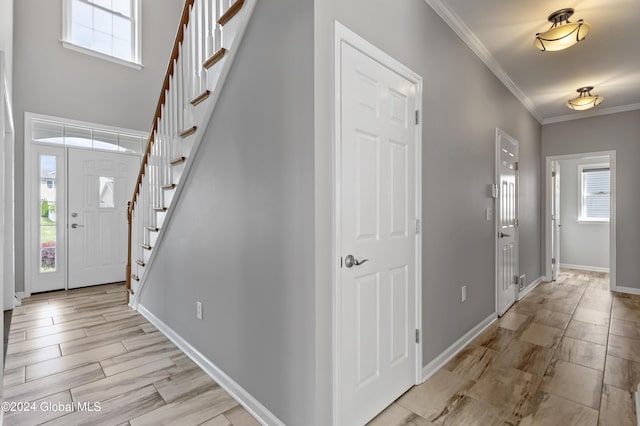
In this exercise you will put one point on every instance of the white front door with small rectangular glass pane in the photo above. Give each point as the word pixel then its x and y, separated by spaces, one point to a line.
pixel 100 184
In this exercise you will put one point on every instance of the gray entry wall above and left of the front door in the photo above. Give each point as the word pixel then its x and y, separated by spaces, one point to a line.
pixel 49 79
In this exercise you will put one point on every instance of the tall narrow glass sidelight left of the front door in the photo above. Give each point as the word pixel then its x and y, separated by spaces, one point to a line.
pixel 47 210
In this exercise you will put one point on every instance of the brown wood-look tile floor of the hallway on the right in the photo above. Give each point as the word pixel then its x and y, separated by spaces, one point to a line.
pixel 567 354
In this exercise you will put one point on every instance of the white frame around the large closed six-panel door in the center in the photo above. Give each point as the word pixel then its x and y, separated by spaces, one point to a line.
pixel 343 34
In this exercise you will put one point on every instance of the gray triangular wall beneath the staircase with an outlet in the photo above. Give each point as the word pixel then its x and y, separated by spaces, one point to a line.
pixel 241 240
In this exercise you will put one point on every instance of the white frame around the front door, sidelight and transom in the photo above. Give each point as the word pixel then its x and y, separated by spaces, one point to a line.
pixel 30 186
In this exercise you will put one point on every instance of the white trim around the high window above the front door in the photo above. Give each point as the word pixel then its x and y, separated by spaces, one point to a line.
pixel 137 38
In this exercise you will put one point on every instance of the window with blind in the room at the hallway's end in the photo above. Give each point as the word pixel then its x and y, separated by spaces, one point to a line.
pixel 595 193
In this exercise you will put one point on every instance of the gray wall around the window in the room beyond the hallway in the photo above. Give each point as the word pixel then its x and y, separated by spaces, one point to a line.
pixel 581 243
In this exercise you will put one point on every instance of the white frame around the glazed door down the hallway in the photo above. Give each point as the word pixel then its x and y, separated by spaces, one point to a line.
pixel 502 134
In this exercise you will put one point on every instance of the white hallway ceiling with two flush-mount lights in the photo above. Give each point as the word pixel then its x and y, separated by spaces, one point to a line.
pixel 501 32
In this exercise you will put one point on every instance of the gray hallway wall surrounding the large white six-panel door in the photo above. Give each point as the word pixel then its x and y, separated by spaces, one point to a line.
pixel 463 103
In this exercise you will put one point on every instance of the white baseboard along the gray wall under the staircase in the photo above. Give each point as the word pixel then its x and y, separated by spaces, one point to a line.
pixel 252 405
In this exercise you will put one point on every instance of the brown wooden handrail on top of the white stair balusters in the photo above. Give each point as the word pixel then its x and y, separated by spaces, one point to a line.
pixel 184 21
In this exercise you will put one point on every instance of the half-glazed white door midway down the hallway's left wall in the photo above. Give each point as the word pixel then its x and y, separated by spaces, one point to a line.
pixel 507 219
